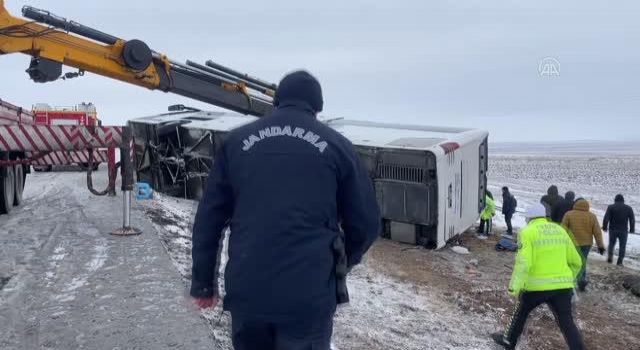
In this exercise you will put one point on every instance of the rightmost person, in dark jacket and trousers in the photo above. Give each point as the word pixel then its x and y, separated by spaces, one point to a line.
pixel 620 220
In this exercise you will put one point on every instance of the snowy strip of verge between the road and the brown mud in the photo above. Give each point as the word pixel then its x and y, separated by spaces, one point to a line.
pixel 384 313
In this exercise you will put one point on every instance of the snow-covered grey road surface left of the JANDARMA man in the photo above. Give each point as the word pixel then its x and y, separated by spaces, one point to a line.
pixel 66 283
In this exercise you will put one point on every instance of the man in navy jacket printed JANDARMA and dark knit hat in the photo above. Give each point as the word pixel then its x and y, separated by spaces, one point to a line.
pixel 286 185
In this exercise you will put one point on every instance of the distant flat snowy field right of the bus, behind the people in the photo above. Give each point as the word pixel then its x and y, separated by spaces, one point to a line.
pixel 597 178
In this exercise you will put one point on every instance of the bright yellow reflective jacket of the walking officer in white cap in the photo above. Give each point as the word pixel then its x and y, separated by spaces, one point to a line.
pixel 547 259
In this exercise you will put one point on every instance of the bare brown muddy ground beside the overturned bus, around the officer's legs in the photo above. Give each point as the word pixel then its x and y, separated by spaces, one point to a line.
pixel 607 314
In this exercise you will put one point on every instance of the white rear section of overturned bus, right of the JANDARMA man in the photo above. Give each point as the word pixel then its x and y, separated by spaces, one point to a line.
pixel 430 181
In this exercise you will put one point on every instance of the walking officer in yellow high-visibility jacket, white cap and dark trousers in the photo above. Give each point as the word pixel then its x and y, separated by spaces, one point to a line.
pixel 545 270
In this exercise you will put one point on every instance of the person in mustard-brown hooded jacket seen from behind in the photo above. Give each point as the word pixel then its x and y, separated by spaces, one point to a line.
pixel 584 226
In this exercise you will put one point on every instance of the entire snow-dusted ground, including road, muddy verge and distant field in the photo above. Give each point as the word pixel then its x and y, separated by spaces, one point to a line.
pixel 65 283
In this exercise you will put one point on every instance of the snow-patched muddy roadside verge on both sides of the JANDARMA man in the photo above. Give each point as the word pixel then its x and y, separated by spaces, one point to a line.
pixel 405 297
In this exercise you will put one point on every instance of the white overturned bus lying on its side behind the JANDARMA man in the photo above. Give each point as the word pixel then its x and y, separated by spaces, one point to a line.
pixel 430 181
